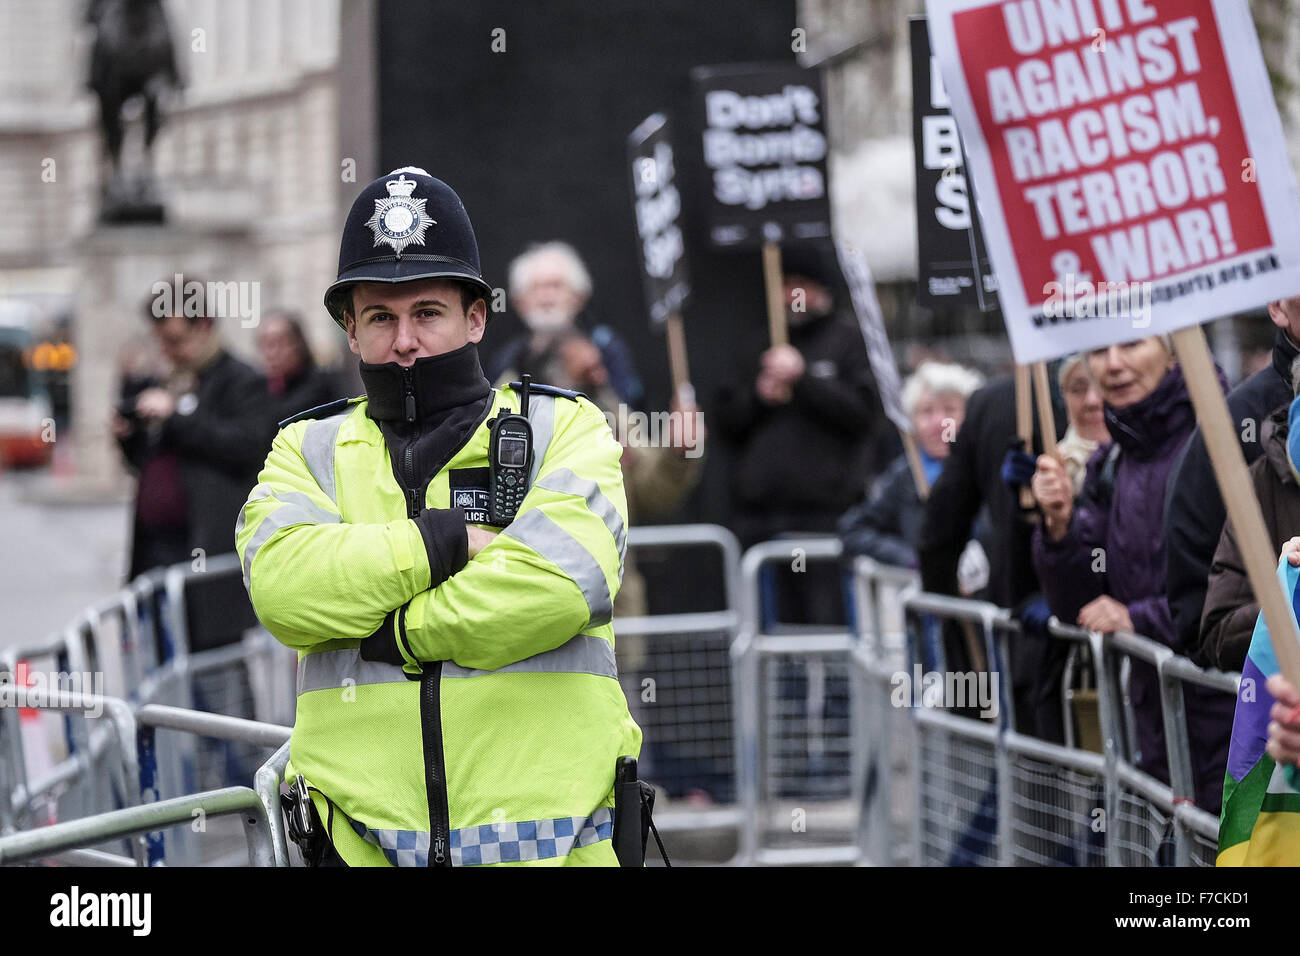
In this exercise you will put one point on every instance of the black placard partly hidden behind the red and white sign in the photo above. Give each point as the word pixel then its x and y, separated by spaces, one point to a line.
pixel 954 267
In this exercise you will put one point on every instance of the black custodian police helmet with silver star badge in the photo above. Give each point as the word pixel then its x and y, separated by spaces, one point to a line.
pixel 405 226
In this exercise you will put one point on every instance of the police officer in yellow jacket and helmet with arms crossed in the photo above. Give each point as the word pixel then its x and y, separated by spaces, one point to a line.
pixel 458 702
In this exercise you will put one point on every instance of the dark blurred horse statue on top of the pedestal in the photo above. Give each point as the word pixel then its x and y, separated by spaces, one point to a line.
pixel 132 57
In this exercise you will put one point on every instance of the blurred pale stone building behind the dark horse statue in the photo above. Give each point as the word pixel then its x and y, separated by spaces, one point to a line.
pixel 249 161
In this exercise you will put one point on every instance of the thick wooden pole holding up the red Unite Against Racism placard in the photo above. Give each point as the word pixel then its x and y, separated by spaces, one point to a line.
pixel 1243 508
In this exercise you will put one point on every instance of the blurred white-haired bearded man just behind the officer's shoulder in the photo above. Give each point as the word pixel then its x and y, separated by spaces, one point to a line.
pixel 549 289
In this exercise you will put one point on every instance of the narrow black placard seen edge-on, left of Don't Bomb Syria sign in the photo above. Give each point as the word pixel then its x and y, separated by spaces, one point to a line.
pixel 658 209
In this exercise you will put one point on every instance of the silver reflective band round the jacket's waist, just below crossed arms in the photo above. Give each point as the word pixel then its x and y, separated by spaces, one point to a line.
pixel 330 669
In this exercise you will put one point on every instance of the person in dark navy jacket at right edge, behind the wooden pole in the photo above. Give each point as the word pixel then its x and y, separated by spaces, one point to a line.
pixel 1195 517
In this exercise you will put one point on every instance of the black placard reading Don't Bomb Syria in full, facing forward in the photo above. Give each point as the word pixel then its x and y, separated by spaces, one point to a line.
pixel 762 129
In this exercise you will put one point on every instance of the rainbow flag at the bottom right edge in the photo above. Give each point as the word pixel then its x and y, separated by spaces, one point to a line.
pixel 1260 824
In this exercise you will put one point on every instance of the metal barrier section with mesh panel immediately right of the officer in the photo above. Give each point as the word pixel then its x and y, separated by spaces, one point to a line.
pixel 686 710
